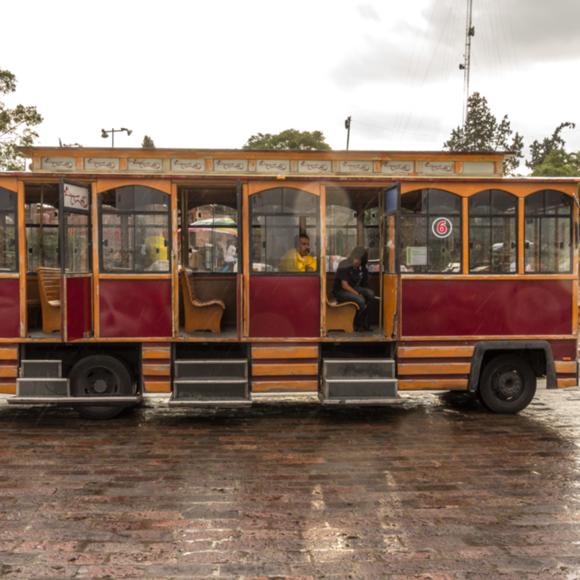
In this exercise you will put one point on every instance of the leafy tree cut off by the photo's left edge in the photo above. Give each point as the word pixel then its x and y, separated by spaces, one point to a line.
pixel 16 125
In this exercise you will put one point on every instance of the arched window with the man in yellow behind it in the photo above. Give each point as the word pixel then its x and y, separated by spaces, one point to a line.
pixel 284 231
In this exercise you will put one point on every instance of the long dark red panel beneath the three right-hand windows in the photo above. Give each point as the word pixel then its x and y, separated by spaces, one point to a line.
pixel 481 307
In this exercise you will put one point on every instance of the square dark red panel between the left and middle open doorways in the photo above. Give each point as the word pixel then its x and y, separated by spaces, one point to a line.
pixel 135 308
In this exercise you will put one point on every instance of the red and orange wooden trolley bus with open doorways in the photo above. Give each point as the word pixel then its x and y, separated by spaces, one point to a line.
pixel 209 278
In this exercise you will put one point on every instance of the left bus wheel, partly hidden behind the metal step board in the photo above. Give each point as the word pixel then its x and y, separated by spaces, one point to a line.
pixel 100 376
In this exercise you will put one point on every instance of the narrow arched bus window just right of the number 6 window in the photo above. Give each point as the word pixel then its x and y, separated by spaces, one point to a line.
pixel 493 232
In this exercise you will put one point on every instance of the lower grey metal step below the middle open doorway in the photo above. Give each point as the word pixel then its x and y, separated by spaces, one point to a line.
pixel 211 390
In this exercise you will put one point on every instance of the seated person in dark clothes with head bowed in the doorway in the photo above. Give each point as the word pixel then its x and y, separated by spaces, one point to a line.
pixel 350 285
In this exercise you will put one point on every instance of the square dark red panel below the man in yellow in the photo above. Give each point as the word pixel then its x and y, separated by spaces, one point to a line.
pixel 285 306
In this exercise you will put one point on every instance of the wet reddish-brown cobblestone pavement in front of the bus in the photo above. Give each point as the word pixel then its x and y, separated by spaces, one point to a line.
pixel 433 488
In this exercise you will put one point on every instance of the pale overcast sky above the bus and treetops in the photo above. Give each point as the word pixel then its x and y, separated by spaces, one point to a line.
pixel 210 74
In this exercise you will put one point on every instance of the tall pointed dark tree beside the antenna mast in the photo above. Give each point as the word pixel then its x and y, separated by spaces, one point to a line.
pixel 482 132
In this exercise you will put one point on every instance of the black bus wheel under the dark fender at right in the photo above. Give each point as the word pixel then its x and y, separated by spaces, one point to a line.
pixel 507 385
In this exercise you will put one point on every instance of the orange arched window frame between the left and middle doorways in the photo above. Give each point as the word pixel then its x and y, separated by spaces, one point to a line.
pixel 134 212
